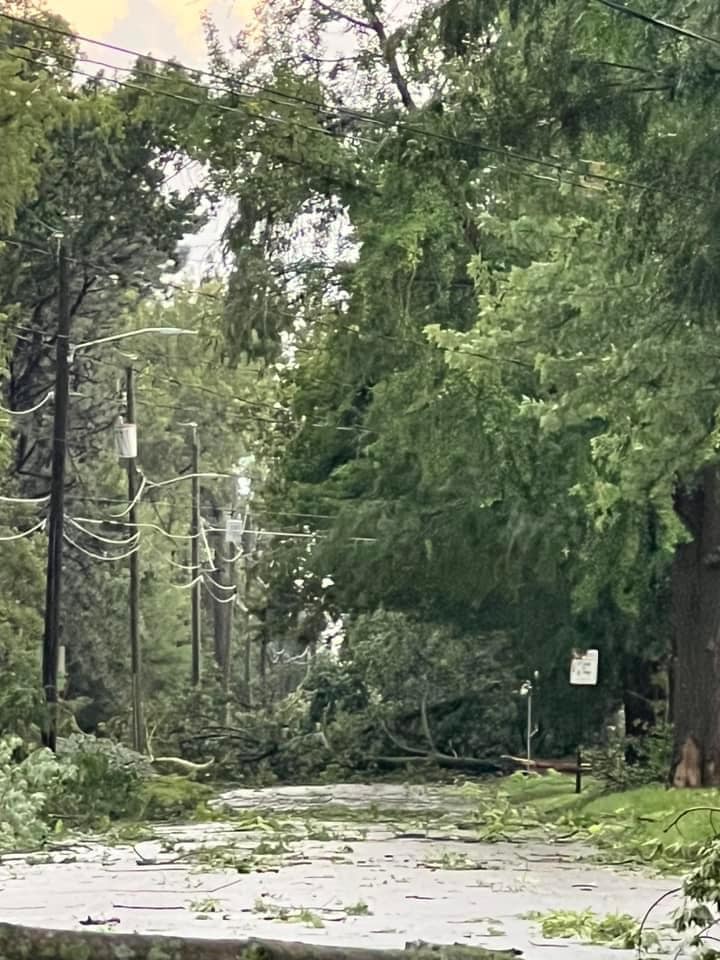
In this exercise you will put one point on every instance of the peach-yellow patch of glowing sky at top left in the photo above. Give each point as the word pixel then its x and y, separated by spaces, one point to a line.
pixel 163 27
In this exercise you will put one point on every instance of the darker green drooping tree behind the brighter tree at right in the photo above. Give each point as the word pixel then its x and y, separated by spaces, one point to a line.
pixel 392 446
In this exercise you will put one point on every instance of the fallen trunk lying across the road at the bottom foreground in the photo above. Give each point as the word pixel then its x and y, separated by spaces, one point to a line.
pixel 31 943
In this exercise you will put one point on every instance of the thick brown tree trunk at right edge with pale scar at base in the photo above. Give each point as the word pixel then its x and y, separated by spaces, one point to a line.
pixel 696 636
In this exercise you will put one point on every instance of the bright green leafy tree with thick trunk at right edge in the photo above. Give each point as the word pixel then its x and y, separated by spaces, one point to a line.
pixel 611 298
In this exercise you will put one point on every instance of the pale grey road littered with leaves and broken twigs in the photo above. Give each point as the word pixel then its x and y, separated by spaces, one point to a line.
pixel 325 864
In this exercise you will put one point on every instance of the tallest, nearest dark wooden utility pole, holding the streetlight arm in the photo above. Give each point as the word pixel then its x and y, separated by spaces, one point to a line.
pixel 53 583
